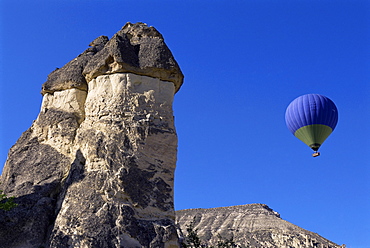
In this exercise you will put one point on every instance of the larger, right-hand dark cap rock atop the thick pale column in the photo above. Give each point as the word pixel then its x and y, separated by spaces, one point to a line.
pixel 139 49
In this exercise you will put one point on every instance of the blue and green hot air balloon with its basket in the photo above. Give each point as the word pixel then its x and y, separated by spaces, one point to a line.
pixel 312 118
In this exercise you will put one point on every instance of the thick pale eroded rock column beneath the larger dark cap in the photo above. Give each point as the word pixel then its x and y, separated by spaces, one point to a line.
pixel 120 192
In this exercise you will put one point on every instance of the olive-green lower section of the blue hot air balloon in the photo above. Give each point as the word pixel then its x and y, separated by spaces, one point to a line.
pixel 313 135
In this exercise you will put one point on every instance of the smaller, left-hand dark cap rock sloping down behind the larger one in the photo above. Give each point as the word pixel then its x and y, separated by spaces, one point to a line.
pixel 70 75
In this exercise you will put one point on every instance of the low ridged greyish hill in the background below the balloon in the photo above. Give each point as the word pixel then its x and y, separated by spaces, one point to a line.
pixel 252 225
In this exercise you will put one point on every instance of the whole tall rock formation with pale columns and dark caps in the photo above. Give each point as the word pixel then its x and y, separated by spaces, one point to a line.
pixel 96 168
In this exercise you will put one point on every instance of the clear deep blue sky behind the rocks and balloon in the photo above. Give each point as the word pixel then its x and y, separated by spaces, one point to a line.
pixel 244 62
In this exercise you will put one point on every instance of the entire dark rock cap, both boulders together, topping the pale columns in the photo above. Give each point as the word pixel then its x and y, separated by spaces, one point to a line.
pixel 136 48
